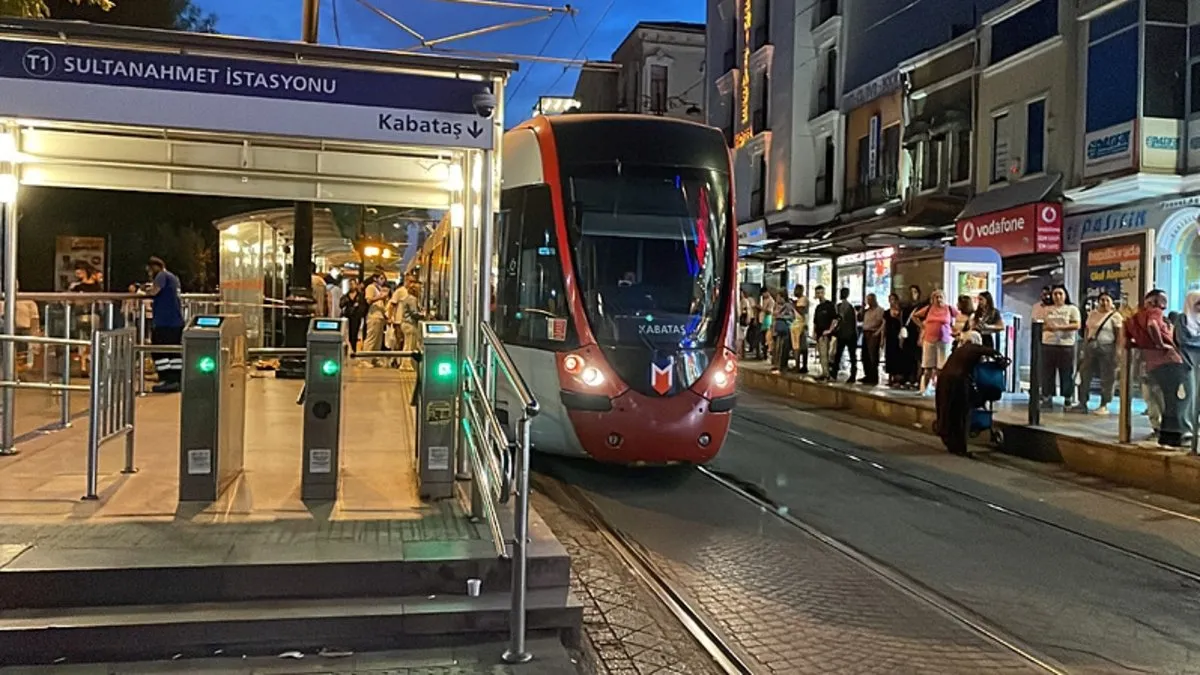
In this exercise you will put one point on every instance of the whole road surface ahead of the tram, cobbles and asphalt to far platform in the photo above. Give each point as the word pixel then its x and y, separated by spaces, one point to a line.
pixel 797 607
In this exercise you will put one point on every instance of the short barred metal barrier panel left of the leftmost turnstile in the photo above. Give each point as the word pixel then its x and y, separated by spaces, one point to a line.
pixel 112 399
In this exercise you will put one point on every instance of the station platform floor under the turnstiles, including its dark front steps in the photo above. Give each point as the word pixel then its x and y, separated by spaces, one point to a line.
pixel 135 576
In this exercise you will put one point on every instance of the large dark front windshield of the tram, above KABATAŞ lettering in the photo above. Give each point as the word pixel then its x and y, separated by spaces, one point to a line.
pixel 650 249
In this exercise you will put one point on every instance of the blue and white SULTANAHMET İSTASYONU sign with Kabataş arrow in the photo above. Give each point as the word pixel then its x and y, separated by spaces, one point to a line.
pixel 129 87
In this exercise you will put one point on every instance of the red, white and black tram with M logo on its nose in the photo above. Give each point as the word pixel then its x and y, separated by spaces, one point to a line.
pixel 616 274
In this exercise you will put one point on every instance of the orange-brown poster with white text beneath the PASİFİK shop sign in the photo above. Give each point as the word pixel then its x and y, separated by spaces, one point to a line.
pixel 1117 267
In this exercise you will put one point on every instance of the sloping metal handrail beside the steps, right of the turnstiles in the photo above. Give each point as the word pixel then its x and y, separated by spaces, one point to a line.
pixel 501 468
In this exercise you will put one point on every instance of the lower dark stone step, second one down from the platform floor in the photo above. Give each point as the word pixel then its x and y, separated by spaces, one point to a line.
pixel 271 628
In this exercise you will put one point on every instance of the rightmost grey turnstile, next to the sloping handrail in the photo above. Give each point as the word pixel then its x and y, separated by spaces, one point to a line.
pixel 437 410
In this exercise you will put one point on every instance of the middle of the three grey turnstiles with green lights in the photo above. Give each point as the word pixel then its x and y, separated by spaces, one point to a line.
pixel 326 350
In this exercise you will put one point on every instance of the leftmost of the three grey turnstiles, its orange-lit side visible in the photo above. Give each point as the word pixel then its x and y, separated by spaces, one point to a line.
pixel 213 407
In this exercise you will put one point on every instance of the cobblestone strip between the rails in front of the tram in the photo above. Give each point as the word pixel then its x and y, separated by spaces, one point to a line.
pixel 793 605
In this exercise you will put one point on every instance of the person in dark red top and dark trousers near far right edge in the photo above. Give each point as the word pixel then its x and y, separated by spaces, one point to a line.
pixel 1150 334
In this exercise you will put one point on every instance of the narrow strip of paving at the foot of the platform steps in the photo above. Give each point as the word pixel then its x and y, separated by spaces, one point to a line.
pixel 478 660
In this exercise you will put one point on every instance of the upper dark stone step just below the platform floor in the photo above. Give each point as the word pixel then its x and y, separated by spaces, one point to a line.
pixel 53 578
